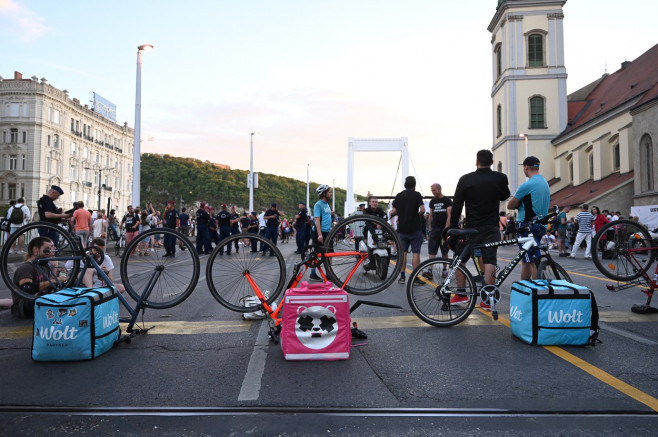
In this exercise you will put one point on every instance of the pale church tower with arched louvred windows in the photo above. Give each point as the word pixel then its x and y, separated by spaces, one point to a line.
pixel 529 92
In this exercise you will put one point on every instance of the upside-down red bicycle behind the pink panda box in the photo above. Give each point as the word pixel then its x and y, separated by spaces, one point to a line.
pixel 347 259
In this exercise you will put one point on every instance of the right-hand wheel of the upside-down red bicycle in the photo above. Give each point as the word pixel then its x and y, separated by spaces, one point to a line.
pixel 355 235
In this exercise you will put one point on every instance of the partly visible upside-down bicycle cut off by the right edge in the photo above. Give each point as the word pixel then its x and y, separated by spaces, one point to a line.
pixel 624 250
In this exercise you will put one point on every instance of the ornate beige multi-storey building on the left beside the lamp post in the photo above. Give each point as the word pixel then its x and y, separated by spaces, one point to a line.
pixel 47 139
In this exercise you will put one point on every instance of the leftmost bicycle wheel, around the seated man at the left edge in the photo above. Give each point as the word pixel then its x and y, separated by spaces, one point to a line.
pixel 14 253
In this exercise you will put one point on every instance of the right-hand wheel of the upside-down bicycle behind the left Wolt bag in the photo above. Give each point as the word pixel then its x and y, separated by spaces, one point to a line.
pixel 170 278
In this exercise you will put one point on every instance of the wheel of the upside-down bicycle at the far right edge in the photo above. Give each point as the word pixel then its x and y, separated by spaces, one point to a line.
pixel 621 250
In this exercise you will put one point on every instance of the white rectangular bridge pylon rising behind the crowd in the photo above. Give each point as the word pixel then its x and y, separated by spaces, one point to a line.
pixel 372 145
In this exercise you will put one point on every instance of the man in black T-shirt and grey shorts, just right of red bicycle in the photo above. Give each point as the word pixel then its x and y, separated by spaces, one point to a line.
pixel 408 206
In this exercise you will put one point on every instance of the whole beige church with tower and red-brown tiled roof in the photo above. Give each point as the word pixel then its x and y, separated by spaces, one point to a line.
pixel 597 144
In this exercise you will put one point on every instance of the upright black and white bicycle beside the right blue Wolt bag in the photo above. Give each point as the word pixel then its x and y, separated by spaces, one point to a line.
pixel 430 299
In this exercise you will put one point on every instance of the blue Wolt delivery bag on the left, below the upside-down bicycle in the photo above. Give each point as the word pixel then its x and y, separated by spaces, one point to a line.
pixel 75 324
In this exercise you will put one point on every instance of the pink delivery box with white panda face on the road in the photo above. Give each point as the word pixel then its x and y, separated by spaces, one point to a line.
pixel 316 323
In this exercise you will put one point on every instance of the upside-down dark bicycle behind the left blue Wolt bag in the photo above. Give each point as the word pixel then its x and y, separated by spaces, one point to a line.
pixel 153 282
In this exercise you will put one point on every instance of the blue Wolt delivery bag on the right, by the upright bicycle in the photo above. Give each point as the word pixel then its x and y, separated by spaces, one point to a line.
pixel 553 312
